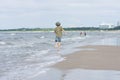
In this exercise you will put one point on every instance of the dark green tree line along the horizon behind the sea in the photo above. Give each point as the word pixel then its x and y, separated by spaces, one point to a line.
pixel 67 29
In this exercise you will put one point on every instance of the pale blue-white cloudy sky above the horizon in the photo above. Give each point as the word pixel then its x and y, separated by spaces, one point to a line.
pixel 70 13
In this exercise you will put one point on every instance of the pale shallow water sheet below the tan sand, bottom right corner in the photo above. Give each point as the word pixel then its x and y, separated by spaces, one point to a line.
pixel 82 74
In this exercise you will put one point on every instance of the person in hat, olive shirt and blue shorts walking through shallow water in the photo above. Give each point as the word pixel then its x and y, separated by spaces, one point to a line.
pixel 58 32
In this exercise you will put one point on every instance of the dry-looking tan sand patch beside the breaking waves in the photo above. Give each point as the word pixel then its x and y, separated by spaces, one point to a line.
pixel 96 57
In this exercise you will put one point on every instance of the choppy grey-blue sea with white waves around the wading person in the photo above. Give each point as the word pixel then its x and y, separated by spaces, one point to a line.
pixel 29 55
